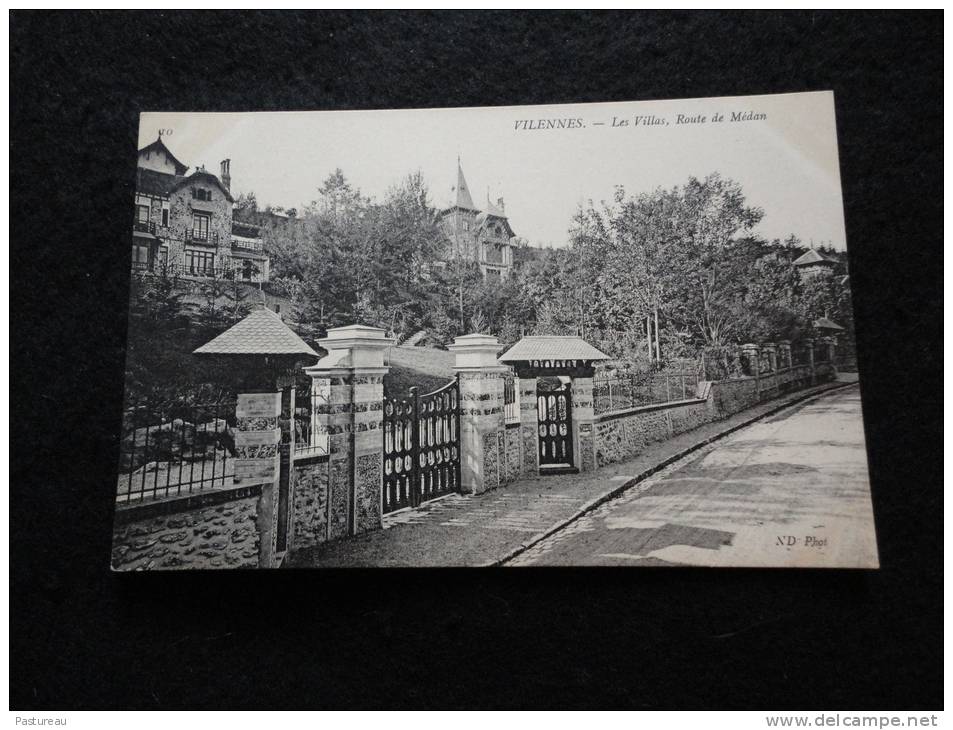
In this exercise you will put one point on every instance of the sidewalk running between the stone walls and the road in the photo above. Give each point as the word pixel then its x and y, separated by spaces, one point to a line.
pixel 486 529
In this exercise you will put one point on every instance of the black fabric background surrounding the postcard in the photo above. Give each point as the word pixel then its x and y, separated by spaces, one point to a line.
pixel 659 638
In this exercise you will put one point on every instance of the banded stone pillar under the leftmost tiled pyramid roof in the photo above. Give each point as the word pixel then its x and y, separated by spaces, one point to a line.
pixel 257 436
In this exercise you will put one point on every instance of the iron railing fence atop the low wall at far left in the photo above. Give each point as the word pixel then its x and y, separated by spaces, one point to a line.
pixel 171 448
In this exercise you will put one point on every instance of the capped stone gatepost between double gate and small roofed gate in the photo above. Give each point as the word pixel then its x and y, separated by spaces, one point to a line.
pixel 482 423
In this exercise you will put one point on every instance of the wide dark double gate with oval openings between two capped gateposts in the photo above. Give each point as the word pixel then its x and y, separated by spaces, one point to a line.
pixel 421 447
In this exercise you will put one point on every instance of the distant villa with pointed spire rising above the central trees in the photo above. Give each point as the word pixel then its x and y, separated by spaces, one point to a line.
pixel 484 236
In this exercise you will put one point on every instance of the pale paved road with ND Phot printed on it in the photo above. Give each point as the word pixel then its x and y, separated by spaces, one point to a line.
pixel 791 490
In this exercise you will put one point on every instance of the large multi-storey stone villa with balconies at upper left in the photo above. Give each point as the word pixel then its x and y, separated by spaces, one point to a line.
pixel 184 225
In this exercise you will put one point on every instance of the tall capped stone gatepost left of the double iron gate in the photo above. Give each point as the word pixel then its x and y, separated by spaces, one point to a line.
pixel 349 383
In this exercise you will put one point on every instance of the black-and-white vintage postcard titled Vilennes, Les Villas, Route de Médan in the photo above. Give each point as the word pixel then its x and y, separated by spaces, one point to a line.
pixel 581 334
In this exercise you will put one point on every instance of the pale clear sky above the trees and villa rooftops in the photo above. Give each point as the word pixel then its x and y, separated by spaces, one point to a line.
pixel 786 163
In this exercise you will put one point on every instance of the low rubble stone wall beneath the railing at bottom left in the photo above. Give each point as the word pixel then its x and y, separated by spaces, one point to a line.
pixel 217 529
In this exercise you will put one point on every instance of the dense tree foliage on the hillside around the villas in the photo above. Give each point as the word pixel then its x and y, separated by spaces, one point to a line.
pixel 655 276
